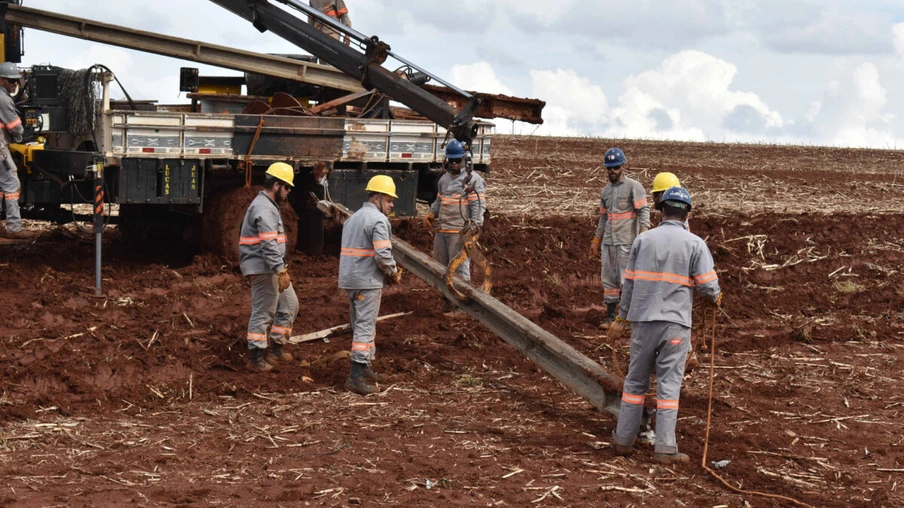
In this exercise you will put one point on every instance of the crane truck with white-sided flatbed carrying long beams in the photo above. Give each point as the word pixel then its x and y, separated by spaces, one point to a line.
pixel 166 165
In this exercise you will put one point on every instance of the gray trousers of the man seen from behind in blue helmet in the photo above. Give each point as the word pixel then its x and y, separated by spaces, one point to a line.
pixel 665 346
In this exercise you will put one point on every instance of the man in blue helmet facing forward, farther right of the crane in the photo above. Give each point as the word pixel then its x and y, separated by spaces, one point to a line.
pixel 624 214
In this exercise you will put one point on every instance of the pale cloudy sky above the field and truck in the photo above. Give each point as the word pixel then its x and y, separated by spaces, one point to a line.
pixel 819 72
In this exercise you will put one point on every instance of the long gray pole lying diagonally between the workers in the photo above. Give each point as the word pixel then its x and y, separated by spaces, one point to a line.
pixel 579 373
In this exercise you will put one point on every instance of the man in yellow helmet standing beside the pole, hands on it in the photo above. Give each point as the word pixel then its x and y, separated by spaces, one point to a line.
pixel 365 261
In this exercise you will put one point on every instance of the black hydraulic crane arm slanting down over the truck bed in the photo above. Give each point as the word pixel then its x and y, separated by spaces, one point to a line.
pixel 365 67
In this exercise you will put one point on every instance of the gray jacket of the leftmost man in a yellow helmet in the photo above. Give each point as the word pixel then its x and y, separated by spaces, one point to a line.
pixel 262 245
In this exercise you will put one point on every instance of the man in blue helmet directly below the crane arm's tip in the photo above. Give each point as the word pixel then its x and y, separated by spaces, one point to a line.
pixel 460 201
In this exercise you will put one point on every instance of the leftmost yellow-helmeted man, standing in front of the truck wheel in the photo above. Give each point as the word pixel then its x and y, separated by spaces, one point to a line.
pixel 262 258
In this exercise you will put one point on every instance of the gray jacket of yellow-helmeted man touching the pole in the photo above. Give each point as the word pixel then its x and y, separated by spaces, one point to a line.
pixel 366 255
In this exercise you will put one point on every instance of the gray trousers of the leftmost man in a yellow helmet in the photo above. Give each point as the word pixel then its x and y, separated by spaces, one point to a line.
pixel 269 306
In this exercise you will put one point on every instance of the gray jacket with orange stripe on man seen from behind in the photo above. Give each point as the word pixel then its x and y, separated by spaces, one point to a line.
pixel 665 265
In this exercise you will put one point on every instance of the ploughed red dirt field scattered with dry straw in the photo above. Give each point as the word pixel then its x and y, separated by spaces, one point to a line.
pixel 140 397
